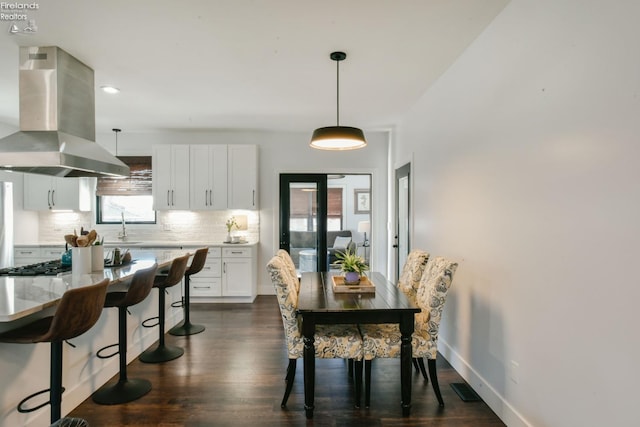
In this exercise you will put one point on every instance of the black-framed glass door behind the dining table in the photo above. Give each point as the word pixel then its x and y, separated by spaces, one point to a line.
pixel 303 207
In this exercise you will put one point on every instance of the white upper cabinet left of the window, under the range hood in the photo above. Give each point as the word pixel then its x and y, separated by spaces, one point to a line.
pixel 43 193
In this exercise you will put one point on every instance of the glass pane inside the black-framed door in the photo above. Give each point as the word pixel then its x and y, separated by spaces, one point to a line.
pixel 303 224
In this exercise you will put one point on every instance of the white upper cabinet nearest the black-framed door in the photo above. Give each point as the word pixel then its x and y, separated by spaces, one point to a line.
pixel 242 161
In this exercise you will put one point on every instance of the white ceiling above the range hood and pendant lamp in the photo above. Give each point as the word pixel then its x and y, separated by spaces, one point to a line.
pixel 250 64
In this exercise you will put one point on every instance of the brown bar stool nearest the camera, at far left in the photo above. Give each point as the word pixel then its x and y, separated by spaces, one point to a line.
pixel 79 309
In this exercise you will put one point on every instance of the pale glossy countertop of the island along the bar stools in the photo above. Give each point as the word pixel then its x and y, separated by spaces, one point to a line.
pixel 23 296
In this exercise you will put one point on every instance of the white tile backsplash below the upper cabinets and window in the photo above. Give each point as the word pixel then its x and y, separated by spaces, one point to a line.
pixel 172 226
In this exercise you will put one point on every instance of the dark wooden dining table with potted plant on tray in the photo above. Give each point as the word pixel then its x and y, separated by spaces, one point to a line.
pixel 319 303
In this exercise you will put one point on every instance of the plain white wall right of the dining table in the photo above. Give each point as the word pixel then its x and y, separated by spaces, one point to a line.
pixel 526 173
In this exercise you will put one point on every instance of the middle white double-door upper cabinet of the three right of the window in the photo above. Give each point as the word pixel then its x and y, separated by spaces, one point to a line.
pixel 208 177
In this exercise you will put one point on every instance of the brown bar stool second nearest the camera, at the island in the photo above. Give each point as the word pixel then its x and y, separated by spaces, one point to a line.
pixel 125 390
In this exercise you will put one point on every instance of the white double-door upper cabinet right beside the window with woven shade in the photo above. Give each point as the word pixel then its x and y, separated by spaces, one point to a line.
pixel 171 177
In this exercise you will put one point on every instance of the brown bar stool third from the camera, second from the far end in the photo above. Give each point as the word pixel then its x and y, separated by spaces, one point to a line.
pixel 163 352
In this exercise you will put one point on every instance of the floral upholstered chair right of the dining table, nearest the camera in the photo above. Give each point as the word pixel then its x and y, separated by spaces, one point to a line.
pixel 384 340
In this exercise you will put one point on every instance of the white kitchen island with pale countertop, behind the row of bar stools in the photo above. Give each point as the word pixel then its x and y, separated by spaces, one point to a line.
pixel 25 368
